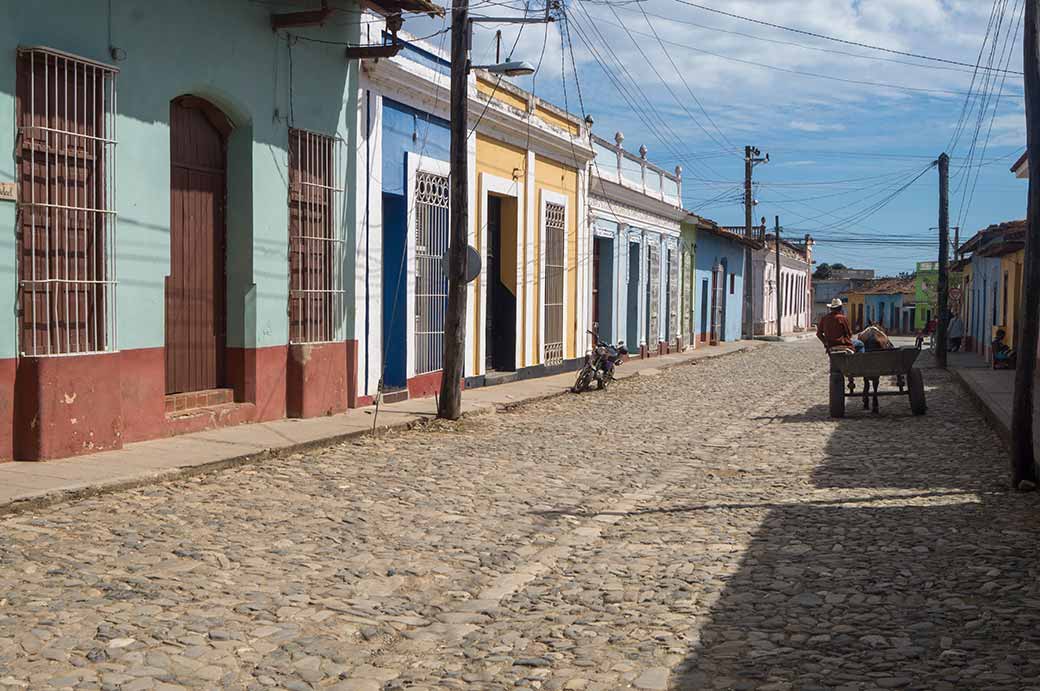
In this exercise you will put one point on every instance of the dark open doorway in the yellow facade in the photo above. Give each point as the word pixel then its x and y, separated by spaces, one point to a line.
pixel 501 319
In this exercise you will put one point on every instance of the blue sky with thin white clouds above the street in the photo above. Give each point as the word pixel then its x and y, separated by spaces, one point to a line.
pixel 844 136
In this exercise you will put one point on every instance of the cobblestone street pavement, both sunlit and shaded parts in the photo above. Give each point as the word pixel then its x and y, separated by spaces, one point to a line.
pixel 707 528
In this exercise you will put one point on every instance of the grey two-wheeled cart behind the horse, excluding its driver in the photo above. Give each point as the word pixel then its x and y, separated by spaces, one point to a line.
pixel 899 363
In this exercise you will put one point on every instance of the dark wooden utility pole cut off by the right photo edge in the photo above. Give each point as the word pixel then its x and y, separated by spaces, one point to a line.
pixel 1023 454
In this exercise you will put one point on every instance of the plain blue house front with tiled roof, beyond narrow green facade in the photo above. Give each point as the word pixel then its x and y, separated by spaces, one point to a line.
pixel 719 285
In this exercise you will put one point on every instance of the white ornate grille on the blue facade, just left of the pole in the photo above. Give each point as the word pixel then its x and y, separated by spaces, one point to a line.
pixel 431 279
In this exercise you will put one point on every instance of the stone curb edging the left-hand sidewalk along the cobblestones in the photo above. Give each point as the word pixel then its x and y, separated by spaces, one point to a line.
pixel 53 498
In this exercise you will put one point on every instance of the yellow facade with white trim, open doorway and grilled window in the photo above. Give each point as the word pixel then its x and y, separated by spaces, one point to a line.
pixel 527 310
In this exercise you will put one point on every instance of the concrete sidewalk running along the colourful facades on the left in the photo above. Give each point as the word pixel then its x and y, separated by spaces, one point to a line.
pixel 30 485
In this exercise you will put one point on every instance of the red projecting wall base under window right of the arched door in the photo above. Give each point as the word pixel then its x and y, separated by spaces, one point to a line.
pixel 317 383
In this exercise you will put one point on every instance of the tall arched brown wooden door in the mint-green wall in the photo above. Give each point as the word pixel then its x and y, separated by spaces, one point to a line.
pixel 196 301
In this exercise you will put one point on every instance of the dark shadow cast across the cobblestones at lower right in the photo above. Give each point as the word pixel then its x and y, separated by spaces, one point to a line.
pixel 919 571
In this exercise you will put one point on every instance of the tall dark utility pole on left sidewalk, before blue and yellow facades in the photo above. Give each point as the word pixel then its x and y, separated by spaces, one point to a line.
pixel 450 401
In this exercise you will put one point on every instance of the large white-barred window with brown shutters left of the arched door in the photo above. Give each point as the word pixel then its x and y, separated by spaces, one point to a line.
pixel 66 204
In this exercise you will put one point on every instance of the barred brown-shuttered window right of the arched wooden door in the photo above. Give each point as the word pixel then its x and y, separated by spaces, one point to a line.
pixel 317 244
